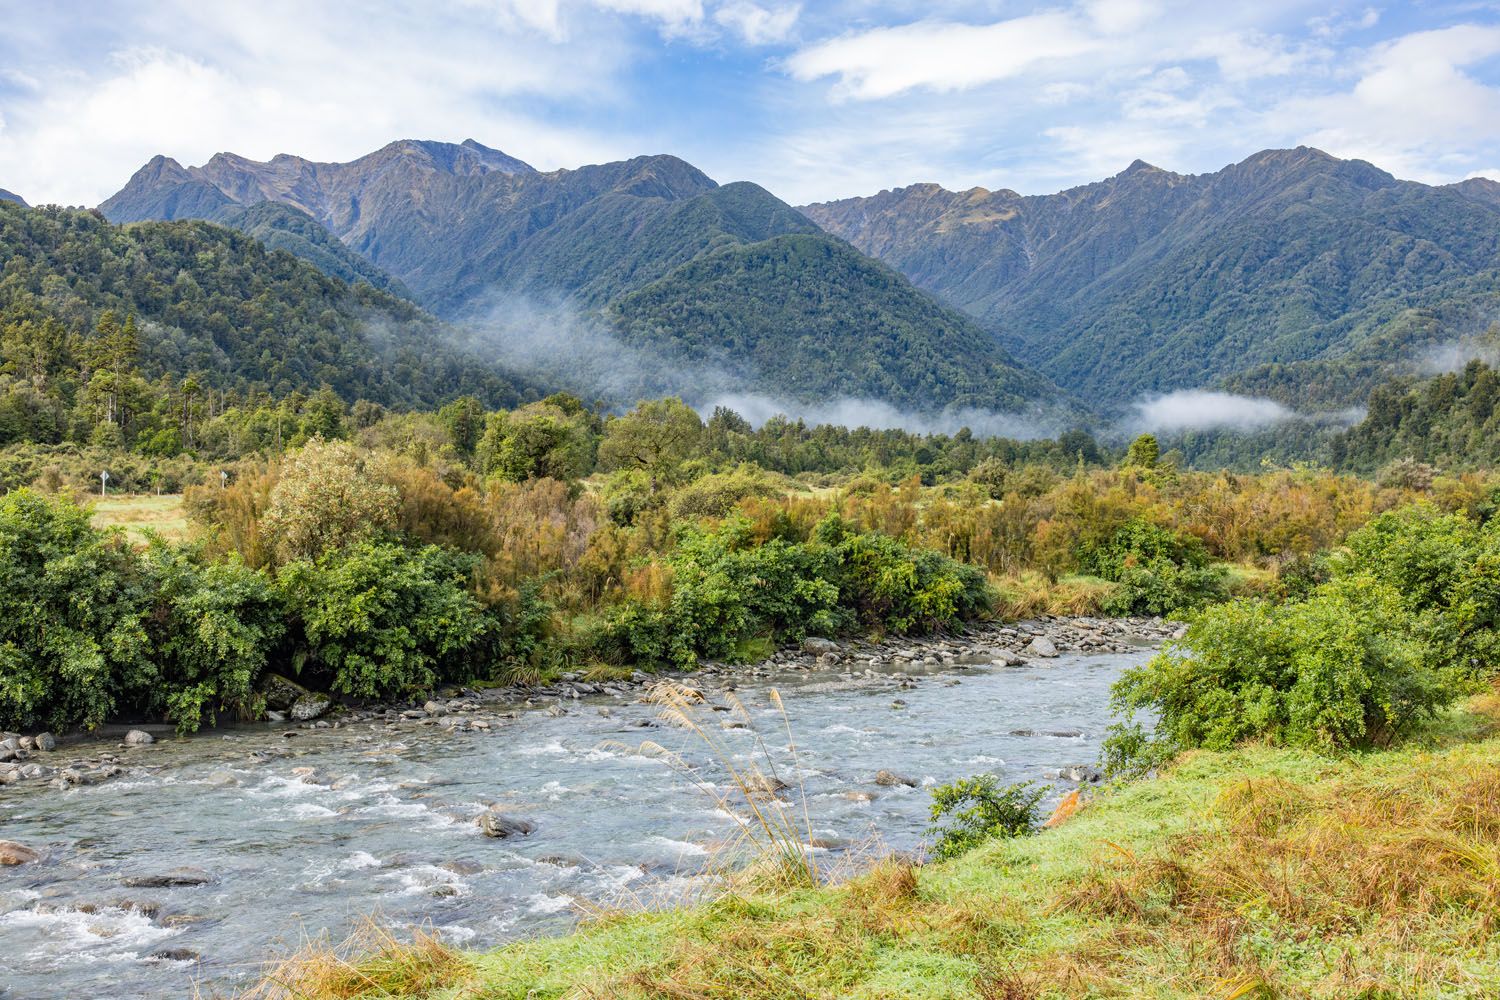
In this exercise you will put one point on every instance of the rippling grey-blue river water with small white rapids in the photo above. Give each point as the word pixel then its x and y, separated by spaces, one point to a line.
pixel 314 833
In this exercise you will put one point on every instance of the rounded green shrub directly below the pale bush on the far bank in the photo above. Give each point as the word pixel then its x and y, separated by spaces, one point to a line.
pixel 379 621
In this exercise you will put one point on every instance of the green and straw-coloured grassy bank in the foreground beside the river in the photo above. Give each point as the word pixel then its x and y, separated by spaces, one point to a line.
pixel 1256 873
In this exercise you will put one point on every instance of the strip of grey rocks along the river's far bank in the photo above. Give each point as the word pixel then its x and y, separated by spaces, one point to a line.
pixel 110 753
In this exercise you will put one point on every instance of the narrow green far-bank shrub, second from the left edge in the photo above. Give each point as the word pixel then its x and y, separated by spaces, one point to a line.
pixel 212 629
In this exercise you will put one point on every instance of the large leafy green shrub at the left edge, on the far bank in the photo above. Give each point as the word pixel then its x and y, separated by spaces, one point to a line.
pixel 73 599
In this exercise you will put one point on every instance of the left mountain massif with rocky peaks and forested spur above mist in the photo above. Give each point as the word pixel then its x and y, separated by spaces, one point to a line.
pixel 724 284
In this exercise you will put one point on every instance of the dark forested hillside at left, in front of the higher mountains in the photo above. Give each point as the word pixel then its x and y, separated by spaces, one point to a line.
pixel 218 305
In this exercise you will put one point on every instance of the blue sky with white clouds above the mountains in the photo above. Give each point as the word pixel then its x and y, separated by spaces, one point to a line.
pixel 815 101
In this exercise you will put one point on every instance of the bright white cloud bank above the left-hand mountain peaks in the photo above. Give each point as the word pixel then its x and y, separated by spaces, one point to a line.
pixel 298 79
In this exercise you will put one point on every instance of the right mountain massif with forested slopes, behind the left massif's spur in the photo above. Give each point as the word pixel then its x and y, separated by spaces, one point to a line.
pixel 1292 274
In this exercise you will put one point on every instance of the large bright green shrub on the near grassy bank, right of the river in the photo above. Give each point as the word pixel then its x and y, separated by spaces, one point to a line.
pixel 1337 671
